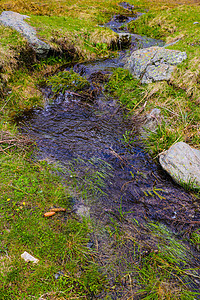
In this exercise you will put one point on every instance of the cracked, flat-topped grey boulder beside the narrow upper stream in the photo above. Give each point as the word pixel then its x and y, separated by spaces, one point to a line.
pixel 154 63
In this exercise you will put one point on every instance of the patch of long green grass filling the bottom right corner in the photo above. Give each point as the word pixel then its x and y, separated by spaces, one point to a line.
pixel 163 272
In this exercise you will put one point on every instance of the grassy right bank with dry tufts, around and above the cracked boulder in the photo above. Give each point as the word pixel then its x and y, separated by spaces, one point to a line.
pixel 179 98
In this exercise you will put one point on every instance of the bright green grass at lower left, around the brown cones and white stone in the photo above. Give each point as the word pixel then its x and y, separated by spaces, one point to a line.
pixel 28 190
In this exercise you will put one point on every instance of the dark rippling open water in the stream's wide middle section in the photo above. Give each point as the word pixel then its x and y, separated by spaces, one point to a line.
pixel 70 129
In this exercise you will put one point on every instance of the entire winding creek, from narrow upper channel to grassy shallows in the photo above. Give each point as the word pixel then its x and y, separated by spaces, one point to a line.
pixel 89 140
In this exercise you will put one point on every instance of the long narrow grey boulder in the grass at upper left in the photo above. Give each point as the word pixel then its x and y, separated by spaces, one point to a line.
pixel 16 21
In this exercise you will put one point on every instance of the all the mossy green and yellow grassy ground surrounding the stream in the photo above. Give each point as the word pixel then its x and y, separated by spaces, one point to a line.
pixel 29 189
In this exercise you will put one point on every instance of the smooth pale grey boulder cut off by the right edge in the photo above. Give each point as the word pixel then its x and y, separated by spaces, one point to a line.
pixel 182 162
